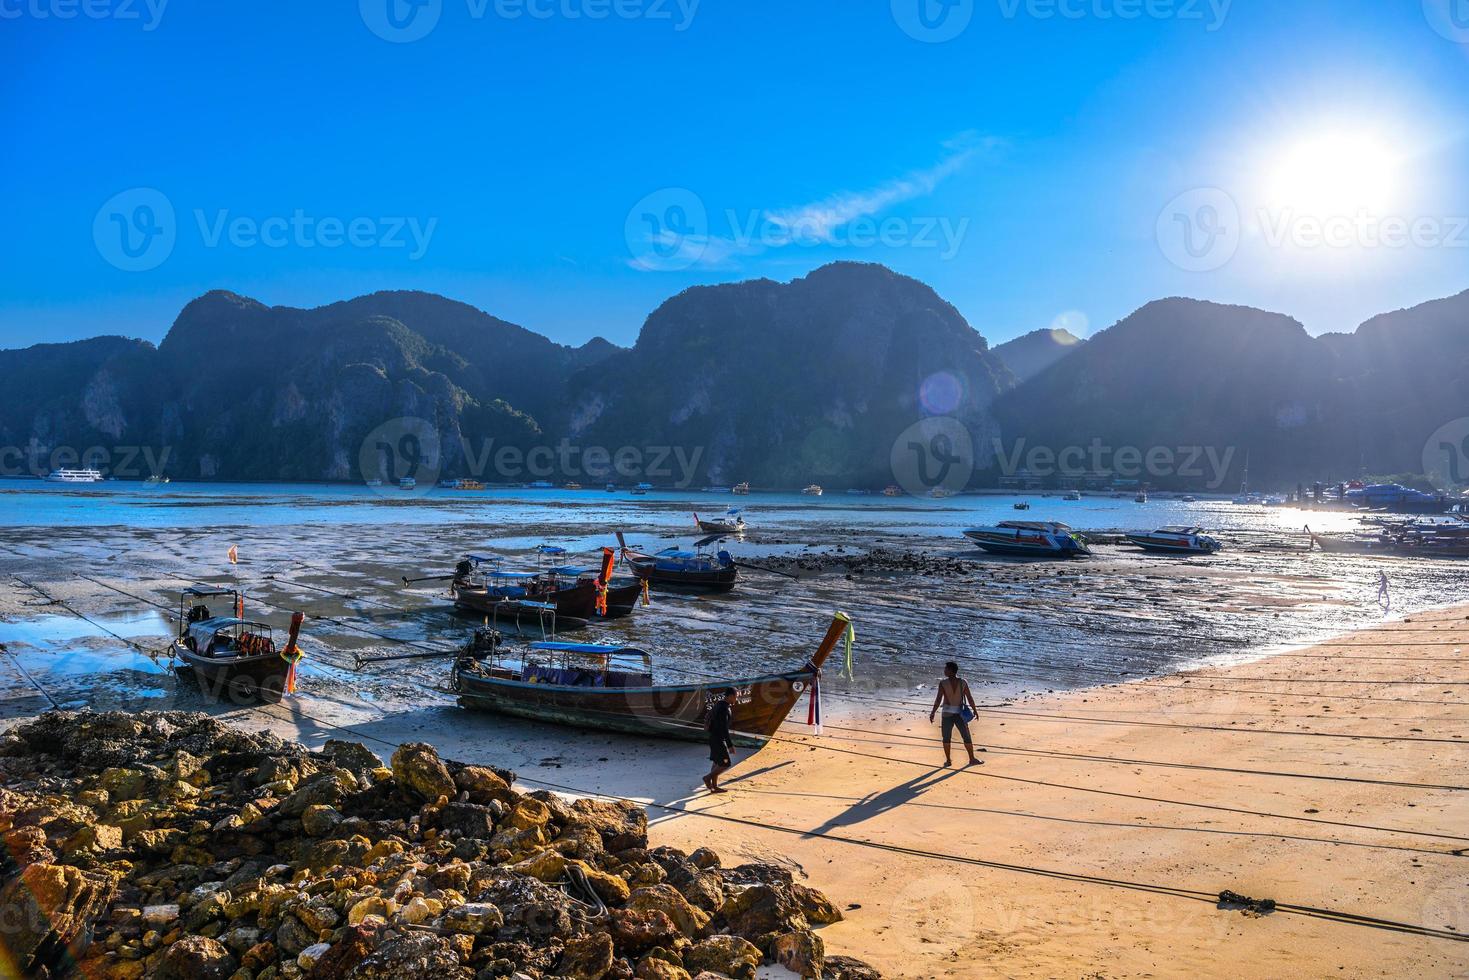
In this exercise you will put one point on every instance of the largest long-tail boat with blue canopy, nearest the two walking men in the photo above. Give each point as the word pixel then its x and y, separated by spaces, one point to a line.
pixel 610 688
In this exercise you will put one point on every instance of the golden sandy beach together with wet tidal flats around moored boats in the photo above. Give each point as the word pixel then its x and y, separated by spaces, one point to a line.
pixel 1094 841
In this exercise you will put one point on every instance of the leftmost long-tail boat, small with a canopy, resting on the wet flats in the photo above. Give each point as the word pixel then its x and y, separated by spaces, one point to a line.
pixel 231 657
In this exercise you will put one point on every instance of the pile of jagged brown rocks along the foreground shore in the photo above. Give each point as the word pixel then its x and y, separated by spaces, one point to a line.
pixel 173 846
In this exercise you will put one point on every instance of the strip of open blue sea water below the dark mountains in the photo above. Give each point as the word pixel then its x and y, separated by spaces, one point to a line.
pixel 37 503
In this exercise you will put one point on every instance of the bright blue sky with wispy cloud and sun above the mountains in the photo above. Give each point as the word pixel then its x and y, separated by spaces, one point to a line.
pixel 1054 161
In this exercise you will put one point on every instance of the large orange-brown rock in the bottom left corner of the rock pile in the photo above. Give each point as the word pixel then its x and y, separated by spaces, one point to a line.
pixel 49 912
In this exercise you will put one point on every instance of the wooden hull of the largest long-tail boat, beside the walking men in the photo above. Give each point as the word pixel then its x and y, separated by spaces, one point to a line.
pixel 678 712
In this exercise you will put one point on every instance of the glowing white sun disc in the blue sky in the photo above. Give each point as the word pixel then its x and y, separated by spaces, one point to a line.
pixel 1336 174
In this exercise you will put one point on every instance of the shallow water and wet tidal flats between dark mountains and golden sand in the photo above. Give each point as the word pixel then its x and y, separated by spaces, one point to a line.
pixel 339 553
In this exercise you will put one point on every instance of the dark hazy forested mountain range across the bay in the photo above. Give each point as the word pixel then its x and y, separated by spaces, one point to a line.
pixel 779 384
